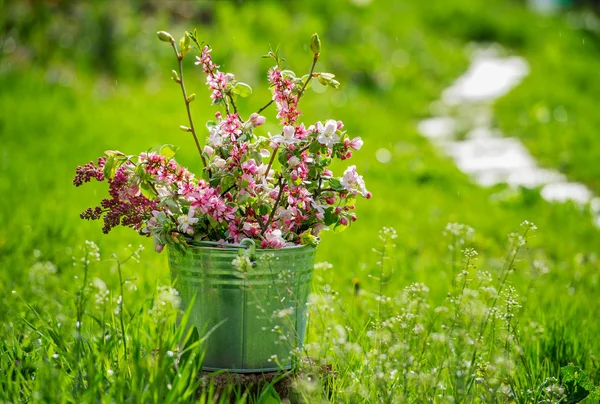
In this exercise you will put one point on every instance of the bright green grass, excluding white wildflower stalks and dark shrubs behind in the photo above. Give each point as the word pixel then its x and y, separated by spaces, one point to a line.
pixel 47 130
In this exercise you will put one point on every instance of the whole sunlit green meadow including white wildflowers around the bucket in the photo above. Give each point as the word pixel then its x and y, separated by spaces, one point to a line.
pixel 465 300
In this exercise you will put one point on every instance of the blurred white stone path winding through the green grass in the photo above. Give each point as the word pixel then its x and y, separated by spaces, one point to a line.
pixel 462 128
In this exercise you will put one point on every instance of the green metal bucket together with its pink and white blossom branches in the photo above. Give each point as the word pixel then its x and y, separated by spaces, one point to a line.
pixel 256 189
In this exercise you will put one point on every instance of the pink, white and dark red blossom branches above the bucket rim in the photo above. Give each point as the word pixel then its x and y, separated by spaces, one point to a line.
pixel 276 189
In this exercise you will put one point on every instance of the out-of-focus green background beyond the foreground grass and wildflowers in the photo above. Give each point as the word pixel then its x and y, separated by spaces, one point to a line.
pixel 77 78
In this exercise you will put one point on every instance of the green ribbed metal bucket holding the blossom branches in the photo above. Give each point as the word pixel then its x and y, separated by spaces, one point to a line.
pixel 255 318
